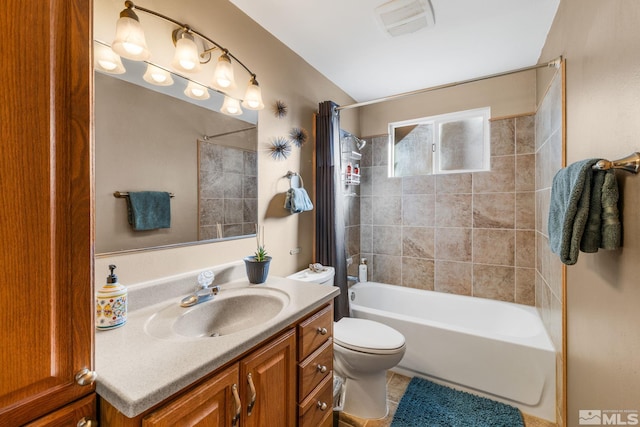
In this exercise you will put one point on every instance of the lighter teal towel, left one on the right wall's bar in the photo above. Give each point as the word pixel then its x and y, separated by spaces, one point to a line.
pixel 569 209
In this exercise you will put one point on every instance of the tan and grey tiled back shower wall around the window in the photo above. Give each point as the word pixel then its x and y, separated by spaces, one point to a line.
pixel 469 234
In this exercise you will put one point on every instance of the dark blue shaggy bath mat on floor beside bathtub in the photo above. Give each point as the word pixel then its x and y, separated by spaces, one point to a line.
pixel 432 405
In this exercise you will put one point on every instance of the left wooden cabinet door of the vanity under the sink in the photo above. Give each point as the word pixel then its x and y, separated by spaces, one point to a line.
pixel 210 404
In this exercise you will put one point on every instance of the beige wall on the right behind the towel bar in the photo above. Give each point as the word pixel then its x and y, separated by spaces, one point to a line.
pixel 600 43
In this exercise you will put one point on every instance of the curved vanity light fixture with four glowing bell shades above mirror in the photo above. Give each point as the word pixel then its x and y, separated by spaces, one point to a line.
pixel 130 43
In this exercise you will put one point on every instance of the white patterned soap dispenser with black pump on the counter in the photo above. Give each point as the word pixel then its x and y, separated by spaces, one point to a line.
pixel 111 303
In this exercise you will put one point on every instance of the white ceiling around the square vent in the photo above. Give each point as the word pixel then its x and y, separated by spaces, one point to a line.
pixel 345 42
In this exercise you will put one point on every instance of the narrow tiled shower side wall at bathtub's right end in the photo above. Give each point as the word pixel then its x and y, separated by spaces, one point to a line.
pixel 549 293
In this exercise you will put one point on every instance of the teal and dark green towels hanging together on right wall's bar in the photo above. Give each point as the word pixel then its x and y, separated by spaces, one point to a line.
pixel 583 213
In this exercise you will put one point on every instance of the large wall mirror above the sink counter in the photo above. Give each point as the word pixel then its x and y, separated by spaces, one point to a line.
pixel 147 139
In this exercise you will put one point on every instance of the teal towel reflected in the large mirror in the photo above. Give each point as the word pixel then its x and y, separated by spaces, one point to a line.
pixel 149 210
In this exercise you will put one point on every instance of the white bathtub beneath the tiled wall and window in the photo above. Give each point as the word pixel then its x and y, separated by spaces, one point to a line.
pixel 492 348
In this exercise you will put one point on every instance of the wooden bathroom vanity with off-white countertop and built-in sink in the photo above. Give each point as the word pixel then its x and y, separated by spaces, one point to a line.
pixel 275 371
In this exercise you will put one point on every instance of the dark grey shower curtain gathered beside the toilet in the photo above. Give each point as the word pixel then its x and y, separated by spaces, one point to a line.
pixel 330 224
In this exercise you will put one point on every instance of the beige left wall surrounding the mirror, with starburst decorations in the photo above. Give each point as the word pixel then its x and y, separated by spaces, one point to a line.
pixel 282 76
